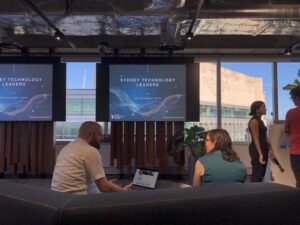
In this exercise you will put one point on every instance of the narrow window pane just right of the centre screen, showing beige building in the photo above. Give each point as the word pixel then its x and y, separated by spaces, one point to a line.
pixel 208 96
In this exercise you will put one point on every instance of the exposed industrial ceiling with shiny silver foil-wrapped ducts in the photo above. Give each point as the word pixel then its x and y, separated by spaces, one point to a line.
pixel 219 26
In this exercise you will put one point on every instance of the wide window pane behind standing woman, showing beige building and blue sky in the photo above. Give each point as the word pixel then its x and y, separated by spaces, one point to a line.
pixel 242 84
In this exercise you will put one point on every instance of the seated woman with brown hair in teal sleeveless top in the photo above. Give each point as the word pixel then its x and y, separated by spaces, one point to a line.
pixel 220 164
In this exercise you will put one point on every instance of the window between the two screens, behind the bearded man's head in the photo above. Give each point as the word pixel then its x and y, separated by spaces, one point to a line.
pixel 80 102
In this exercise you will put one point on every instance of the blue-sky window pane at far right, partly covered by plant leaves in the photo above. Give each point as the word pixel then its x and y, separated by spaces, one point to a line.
pixel 287 73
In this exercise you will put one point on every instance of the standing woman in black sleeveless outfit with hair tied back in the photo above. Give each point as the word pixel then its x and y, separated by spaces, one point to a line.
pixel 259 148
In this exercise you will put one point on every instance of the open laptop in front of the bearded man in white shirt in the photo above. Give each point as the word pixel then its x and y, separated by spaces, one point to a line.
pixel 145 178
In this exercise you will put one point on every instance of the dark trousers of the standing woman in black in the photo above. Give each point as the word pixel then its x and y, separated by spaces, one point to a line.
pixel 258 170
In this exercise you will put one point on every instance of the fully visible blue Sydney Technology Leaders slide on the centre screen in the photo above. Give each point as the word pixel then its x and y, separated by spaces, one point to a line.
pixel 147 92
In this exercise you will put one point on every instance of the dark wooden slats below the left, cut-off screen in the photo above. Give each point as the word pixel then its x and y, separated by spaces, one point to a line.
pixel 27 147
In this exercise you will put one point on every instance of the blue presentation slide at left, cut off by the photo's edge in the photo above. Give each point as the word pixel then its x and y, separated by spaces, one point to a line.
pixel 26 92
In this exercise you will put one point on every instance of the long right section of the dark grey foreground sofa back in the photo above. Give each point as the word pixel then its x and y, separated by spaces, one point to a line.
pixel 253 204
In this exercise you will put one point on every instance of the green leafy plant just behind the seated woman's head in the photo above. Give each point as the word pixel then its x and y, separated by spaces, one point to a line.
pixel 191 139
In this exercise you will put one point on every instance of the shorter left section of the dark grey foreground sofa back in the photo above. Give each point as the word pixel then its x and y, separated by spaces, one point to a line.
pixel 22 204
